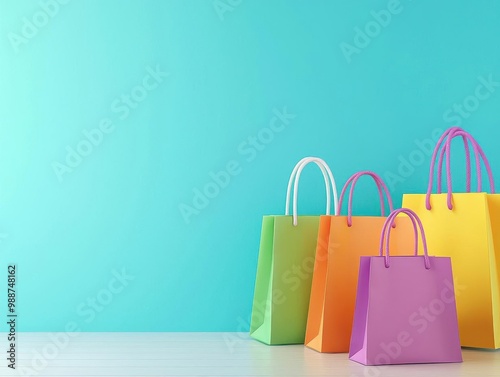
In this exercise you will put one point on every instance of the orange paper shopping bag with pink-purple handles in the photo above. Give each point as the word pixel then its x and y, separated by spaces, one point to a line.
pixel 341 242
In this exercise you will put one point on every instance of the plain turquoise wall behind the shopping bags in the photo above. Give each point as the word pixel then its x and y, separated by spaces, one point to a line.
pixel 228 70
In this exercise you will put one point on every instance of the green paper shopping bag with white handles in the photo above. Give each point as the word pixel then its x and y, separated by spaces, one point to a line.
pixel 285 265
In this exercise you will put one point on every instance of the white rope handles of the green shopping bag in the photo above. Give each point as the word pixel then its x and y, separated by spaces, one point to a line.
pixel 294 178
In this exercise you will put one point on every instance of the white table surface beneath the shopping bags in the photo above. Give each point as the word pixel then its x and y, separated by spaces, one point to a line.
pixel 207 354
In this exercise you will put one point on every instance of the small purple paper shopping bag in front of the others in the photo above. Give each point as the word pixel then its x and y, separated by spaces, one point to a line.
pixel 405 306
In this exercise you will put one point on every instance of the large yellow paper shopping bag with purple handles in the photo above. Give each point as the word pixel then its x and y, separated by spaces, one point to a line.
pixel 466 227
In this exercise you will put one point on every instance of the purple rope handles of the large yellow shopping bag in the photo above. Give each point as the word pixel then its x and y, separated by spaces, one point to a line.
pixel 451 133
